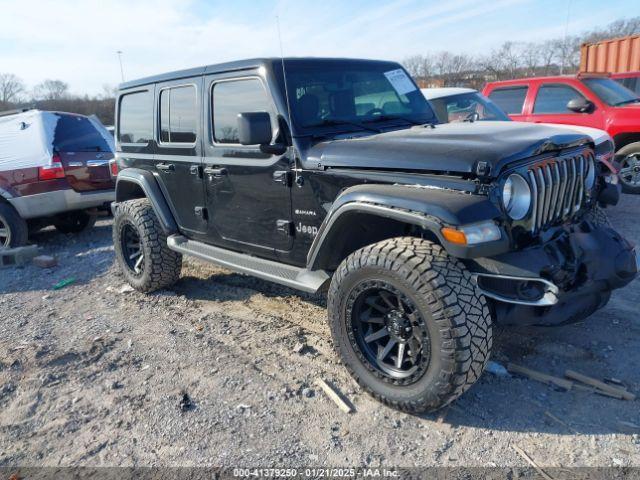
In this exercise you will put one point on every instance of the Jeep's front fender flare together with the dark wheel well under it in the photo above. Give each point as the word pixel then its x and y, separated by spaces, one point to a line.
pixel 367 214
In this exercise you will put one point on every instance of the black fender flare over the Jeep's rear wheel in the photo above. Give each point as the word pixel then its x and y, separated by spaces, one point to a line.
pixel 151 189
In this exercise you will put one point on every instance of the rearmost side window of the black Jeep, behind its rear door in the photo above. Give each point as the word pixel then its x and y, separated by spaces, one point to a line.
pixel 135 123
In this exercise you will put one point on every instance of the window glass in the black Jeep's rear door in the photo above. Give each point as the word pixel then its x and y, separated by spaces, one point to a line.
pixel 178 114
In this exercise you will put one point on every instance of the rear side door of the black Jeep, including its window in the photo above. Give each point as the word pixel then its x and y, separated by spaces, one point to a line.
pixel 178 159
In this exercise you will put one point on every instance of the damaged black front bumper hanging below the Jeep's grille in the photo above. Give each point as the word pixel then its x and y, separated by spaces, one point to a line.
pixel 561 281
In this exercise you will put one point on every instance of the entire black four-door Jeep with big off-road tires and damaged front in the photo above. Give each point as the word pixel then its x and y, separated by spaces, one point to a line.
pixel 333 173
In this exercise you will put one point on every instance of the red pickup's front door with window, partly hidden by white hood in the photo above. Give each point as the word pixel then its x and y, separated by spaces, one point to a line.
pixel 550 106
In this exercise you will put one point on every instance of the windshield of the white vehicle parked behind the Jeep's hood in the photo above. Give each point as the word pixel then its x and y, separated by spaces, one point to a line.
pixel 466 107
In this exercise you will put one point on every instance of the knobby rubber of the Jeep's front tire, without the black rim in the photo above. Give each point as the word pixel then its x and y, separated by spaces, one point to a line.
pixel 456 314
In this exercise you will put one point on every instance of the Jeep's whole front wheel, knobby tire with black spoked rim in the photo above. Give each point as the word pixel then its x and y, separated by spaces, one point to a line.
pixel 425 300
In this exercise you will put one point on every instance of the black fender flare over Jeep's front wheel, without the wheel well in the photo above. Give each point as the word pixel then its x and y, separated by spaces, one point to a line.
pixel 428 208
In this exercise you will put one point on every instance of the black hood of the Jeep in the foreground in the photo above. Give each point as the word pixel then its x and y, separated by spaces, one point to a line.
pixel 449 147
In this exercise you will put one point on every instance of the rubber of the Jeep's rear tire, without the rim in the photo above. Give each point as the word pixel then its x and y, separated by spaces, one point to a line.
pixel 161 266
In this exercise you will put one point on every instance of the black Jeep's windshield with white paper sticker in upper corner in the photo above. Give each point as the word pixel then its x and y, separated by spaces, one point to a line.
pixel 354 95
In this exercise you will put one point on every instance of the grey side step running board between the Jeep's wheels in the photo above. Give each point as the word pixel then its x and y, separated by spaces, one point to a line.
pixel 294 277
